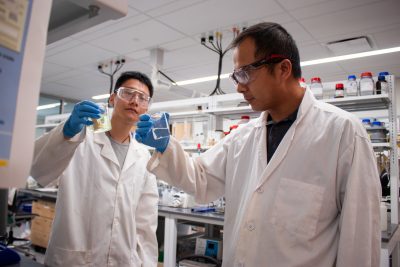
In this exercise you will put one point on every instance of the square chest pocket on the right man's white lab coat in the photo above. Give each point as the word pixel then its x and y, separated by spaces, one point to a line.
pixel 297 207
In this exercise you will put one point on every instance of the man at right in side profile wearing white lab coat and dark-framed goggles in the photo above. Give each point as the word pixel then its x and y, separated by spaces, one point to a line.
pixel 300 182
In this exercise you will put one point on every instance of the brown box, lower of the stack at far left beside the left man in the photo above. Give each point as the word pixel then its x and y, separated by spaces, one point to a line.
pixel 40 231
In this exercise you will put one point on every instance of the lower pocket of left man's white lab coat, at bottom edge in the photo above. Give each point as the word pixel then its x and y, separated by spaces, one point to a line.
pixel 65 257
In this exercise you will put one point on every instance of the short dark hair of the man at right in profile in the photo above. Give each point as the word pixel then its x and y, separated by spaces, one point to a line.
pixel 272 38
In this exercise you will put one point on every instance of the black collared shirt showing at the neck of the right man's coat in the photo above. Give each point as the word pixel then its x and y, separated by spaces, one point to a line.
pixel 276 131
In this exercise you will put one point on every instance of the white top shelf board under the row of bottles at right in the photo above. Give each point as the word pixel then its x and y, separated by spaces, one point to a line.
pixel 360 103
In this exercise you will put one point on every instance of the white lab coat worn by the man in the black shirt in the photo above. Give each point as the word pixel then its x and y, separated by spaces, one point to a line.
pixel 315 204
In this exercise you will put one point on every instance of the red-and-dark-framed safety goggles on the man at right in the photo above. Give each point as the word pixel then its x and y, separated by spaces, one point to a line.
pixel 243 74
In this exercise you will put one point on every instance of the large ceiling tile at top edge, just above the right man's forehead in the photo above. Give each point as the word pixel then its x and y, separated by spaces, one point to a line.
pixel 210 15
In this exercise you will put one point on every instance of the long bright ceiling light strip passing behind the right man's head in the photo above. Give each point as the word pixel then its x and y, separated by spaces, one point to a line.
pixel 304 63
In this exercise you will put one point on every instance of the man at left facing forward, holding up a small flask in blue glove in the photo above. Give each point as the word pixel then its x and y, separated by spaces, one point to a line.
pixel 106 209
